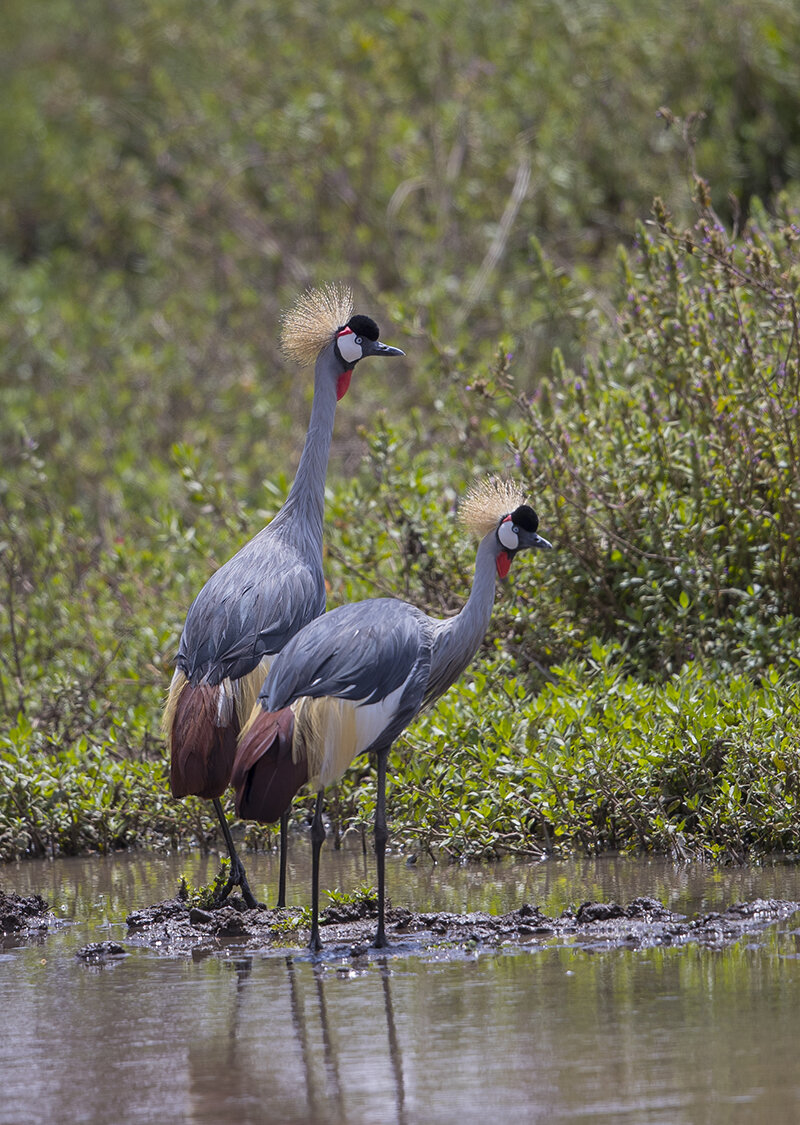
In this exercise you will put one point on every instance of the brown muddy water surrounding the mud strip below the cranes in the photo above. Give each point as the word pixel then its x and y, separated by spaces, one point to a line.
pixel 670 1036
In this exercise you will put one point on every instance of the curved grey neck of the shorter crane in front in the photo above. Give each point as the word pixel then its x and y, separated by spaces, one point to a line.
pixel 457 640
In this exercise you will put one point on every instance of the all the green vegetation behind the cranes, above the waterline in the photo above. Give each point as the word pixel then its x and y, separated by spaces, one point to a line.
pixel 170 178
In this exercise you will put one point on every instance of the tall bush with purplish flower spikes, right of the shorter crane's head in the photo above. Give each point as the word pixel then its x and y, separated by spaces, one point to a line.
pixel 670 460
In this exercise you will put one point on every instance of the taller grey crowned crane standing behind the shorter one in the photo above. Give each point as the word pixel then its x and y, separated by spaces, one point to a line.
pixel 273 588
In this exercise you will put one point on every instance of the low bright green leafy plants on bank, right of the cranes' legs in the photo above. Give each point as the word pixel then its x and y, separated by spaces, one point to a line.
pixel 697 768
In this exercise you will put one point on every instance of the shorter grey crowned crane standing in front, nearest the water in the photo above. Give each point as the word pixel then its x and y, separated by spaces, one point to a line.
pixel 353 680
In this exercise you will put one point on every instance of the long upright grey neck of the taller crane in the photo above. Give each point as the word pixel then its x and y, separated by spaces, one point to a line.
pixel 301 517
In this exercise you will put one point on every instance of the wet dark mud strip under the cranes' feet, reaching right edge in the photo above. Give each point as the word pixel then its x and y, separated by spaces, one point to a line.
pixel 173 928
